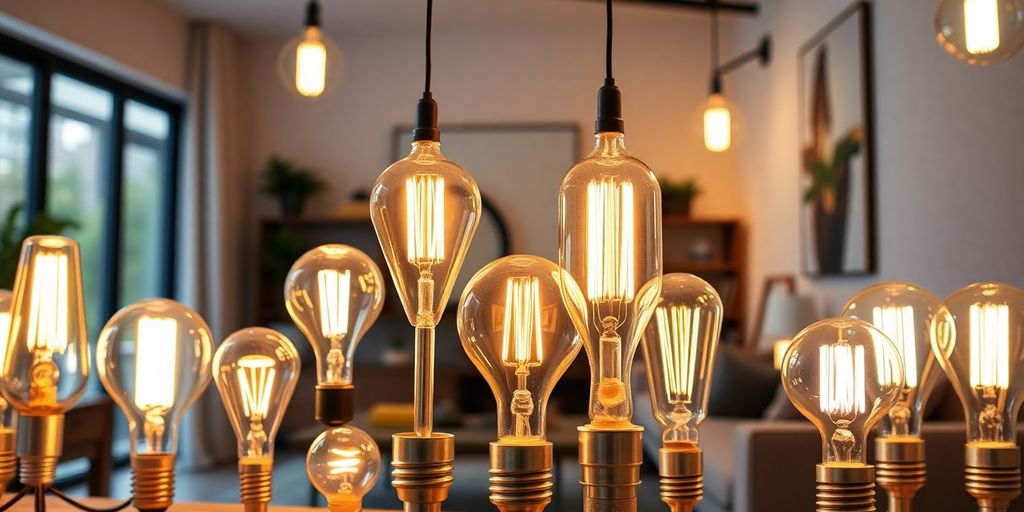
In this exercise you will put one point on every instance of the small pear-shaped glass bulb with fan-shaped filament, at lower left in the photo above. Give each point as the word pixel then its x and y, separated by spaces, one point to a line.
pixel 257 370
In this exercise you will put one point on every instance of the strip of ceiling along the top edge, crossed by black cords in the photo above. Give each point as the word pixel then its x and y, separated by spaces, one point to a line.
pixel 279 18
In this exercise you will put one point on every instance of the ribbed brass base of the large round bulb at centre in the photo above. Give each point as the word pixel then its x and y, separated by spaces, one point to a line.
pixel 521 477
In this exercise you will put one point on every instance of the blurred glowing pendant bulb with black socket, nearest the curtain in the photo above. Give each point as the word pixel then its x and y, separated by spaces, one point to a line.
pixel 310 65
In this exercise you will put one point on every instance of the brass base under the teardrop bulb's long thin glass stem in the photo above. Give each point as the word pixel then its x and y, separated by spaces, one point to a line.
pixel 423 471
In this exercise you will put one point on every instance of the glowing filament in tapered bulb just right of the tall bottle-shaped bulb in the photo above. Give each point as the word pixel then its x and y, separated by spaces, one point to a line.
pixel 679 337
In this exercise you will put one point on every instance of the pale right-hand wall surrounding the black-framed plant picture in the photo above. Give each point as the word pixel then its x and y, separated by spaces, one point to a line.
pixel 951 153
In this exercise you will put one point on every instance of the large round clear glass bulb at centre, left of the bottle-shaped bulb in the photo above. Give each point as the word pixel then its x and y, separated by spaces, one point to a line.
pixel 518 332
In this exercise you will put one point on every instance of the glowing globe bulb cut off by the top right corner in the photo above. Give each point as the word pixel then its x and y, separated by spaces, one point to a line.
pixel 980 32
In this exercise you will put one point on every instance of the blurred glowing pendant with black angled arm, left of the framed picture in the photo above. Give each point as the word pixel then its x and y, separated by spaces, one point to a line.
pixel 720 122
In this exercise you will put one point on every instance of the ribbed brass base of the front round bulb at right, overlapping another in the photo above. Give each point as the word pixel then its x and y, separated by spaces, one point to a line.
pixel 847 488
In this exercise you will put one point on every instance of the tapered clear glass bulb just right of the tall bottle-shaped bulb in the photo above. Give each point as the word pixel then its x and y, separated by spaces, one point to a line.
pixel 679 349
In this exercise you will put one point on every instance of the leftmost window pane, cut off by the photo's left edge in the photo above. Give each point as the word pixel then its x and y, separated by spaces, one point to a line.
pixel 17 86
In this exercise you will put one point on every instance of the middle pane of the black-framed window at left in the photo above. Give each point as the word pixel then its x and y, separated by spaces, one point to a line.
pixel 76 187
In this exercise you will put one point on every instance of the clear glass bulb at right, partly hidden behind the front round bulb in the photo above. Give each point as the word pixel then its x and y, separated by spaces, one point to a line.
pixel 904 312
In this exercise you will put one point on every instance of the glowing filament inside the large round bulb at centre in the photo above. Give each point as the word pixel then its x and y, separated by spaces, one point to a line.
pixel 522 335
